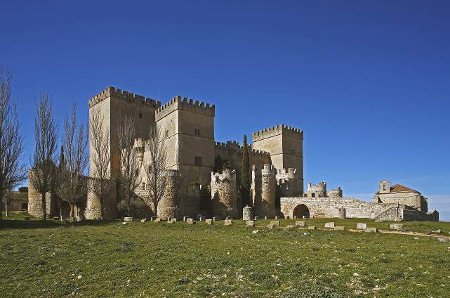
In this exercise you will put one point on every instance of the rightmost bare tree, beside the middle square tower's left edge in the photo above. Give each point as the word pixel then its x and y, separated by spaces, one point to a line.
pixel 155 169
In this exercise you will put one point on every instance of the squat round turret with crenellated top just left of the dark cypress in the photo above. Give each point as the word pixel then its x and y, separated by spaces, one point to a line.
pixel 224 194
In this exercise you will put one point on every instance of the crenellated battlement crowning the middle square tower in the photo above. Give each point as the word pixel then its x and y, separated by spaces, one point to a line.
pixel 183 103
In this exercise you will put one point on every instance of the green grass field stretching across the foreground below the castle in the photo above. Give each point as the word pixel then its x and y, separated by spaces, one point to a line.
pixel 104 259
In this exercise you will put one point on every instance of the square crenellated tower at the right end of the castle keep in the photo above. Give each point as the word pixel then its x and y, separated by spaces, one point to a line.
pixel 285 145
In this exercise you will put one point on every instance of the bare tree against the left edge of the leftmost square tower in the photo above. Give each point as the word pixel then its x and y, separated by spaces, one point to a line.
pixel 99 139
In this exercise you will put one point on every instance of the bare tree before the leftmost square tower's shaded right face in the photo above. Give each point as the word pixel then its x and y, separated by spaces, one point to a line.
pixel 130 177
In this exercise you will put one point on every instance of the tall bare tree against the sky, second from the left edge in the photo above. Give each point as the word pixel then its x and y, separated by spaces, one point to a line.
pixel 43 164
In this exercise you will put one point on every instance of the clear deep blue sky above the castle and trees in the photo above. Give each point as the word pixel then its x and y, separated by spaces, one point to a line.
pixel 367 81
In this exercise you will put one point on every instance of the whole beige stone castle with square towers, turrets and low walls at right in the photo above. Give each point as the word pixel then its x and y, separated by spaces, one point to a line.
pixel 187 130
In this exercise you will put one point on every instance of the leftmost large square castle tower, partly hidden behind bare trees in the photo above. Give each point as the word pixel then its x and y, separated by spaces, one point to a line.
pixel 113 105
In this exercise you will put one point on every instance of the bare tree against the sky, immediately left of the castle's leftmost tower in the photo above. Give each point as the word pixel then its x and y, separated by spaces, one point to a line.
pixel 71 183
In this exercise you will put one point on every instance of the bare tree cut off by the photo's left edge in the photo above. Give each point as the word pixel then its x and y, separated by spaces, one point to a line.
pixel 11 145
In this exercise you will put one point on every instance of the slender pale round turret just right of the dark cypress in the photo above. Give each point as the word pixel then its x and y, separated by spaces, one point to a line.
pixel 264 198
